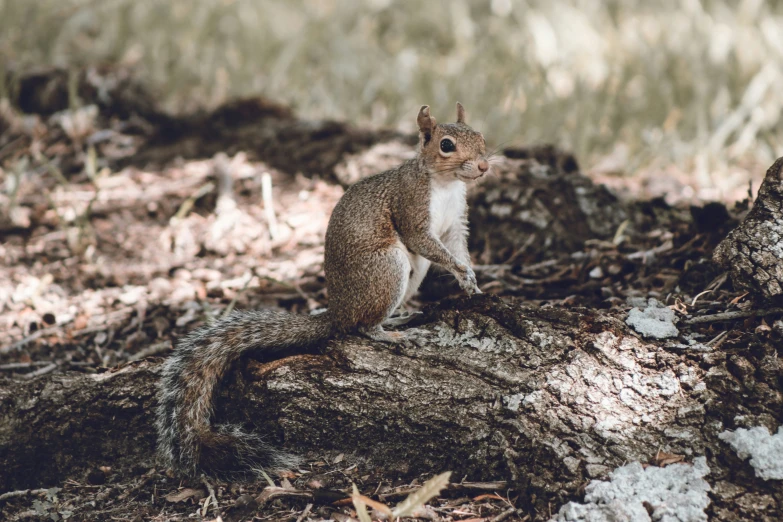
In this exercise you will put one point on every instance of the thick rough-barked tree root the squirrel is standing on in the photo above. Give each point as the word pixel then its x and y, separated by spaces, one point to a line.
pixel 546 398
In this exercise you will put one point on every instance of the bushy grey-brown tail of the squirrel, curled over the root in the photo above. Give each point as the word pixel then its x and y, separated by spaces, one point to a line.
pixel 187 440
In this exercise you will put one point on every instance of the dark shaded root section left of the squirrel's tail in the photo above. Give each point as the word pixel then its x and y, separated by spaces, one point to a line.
pixel 58 425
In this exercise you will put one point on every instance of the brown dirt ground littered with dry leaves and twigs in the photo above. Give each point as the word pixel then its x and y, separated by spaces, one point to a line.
pixel 123 228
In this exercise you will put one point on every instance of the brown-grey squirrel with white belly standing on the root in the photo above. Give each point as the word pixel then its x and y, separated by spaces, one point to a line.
pixel 382 236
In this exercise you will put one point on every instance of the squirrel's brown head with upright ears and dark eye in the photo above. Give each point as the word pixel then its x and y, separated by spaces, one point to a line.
pixel 451 150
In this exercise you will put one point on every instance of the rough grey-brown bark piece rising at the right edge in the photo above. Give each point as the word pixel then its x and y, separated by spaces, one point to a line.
pixel 753 252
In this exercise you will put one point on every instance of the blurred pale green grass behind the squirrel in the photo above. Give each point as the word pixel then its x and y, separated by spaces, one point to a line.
pixel 652 91
